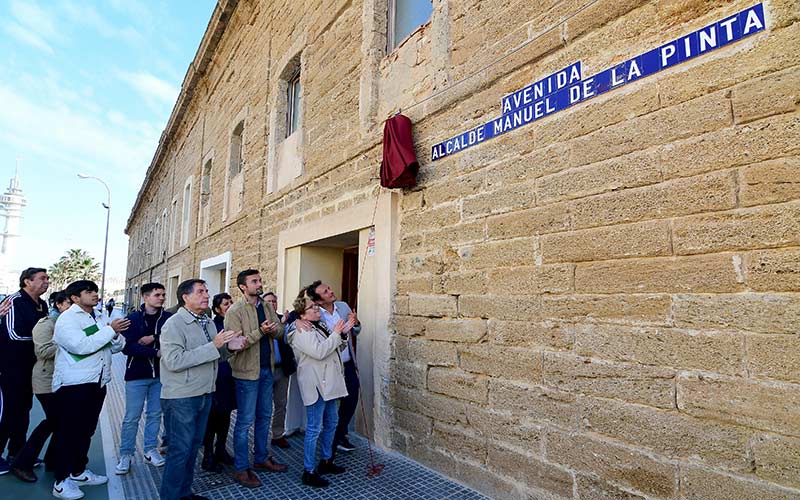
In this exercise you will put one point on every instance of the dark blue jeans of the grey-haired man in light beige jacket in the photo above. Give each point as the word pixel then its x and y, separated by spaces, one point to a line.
pixel 187 419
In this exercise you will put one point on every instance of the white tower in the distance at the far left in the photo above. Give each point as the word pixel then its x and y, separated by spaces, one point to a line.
pixel 11 204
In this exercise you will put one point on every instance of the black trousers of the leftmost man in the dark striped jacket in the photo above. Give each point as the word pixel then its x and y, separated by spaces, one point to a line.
pixel 16 371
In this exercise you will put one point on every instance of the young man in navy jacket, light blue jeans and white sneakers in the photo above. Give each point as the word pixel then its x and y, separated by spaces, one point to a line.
pixel 142 377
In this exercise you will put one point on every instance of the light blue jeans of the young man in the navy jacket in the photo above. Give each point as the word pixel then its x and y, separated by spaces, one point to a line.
pixel 136 392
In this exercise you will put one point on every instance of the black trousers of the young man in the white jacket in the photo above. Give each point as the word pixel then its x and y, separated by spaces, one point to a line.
pixel 79 410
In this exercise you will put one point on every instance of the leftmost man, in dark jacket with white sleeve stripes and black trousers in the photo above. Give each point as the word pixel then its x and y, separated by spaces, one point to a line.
pixel 17 359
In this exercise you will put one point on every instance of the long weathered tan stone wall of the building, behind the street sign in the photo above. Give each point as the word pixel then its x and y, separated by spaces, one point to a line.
pixel 603 304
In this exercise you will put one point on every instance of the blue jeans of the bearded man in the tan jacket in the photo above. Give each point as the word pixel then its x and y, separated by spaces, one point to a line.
pixel 254 405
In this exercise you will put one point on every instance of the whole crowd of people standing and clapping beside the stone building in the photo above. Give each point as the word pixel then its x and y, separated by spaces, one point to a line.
pixel 184 369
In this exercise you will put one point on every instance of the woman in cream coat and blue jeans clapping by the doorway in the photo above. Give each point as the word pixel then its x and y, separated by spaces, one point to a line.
pixel 320 375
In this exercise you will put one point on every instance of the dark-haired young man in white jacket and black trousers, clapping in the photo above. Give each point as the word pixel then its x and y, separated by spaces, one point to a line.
pixel 82 370
